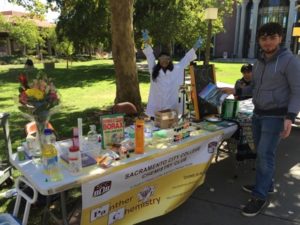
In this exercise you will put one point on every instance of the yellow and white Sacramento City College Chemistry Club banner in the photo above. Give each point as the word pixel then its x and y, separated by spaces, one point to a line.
pixel 148 189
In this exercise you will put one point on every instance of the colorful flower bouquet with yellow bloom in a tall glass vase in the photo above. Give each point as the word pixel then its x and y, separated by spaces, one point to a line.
pixel 36 99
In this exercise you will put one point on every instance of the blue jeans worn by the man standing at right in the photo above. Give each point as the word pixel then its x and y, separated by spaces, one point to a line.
pixel 266 134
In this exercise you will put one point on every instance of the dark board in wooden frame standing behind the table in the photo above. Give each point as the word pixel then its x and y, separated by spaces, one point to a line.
pixel 202 75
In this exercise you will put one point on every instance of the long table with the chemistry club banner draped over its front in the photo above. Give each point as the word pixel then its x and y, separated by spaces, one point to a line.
pixel 175 170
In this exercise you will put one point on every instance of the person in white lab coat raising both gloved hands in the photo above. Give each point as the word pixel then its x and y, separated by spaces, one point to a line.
pixel 165 78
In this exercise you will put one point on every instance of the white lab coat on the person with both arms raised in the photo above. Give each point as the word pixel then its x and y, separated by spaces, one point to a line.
pixel 164 90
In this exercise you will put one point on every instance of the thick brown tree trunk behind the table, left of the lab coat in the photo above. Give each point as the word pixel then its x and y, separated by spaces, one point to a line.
pixel 123 51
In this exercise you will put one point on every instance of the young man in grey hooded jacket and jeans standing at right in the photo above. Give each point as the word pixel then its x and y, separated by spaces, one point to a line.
pixel 275 89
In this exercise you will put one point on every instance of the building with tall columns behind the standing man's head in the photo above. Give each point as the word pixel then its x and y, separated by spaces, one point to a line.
pixel 248 16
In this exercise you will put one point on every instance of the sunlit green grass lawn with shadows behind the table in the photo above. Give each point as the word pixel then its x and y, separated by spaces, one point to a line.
pixel 85 89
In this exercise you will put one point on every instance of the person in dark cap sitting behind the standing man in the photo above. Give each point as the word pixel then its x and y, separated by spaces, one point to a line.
pixel 246 71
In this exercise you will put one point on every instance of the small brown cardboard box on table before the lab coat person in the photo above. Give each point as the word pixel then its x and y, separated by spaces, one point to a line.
pixel 166 118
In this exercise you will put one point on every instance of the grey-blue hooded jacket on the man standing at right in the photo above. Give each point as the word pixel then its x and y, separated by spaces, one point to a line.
pixel 275 85
